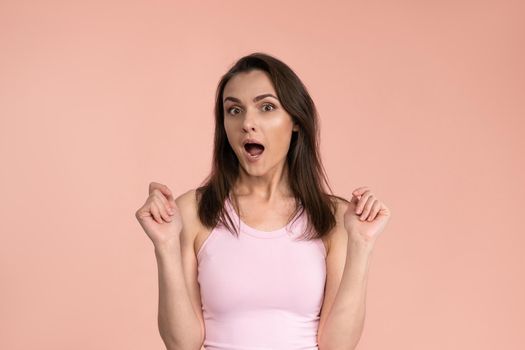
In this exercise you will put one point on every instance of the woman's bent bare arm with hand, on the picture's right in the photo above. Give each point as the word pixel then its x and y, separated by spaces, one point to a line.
pixel 348 261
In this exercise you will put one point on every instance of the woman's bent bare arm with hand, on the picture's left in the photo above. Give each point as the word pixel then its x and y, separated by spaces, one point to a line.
pixel 171 224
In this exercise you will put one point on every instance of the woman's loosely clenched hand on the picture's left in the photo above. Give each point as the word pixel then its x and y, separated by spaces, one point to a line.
pixel 159 216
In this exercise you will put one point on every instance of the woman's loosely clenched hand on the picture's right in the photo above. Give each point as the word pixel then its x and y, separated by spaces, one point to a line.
pixel 365 217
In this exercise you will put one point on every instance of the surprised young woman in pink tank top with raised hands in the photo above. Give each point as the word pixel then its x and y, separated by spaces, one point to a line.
pixel 261 256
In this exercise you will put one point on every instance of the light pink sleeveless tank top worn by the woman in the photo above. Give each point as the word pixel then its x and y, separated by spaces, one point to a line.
pixel 263 290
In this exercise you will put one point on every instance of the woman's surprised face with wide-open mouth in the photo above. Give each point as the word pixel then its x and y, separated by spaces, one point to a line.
pixel 253 111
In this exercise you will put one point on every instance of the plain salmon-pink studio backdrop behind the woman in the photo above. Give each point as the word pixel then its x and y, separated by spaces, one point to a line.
pixel 423 101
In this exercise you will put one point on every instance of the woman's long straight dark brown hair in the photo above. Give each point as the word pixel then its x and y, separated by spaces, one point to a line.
pixel 305 169
